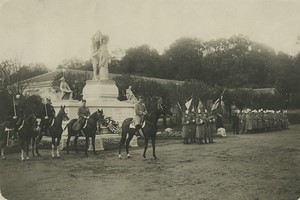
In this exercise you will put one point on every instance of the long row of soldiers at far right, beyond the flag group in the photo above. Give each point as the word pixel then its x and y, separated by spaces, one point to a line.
pixel 247 121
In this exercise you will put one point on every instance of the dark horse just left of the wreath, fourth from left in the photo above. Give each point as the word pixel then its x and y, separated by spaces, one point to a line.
pixel 89 130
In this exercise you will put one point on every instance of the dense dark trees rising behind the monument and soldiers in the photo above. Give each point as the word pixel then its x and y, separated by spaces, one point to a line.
pixel 237 62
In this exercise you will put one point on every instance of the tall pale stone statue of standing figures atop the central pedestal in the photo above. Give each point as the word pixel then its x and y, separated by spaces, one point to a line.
pixel 100 56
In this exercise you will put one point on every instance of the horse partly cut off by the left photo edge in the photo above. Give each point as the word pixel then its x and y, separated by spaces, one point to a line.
pixel 6 132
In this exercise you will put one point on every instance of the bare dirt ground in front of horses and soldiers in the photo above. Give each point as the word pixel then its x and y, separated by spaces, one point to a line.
pixel 251 166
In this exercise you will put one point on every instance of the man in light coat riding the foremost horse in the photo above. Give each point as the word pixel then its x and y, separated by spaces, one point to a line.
pixel 140 111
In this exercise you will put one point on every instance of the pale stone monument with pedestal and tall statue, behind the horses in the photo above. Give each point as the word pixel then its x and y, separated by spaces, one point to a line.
pixel 100 92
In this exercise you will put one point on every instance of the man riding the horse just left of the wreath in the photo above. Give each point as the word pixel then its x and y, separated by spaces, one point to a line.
pixel 83 115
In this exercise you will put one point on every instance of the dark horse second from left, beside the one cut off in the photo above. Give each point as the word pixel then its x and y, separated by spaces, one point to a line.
pixel 25 130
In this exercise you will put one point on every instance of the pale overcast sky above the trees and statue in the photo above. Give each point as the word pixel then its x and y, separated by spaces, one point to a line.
pixel 49 31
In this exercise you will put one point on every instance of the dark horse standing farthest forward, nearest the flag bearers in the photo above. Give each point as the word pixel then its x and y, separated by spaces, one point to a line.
pixel 149 130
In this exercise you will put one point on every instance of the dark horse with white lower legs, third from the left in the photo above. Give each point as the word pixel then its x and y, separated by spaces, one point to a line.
pixel 55 129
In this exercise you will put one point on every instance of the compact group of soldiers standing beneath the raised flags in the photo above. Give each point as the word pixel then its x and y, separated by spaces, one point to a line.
pixel 198 127
